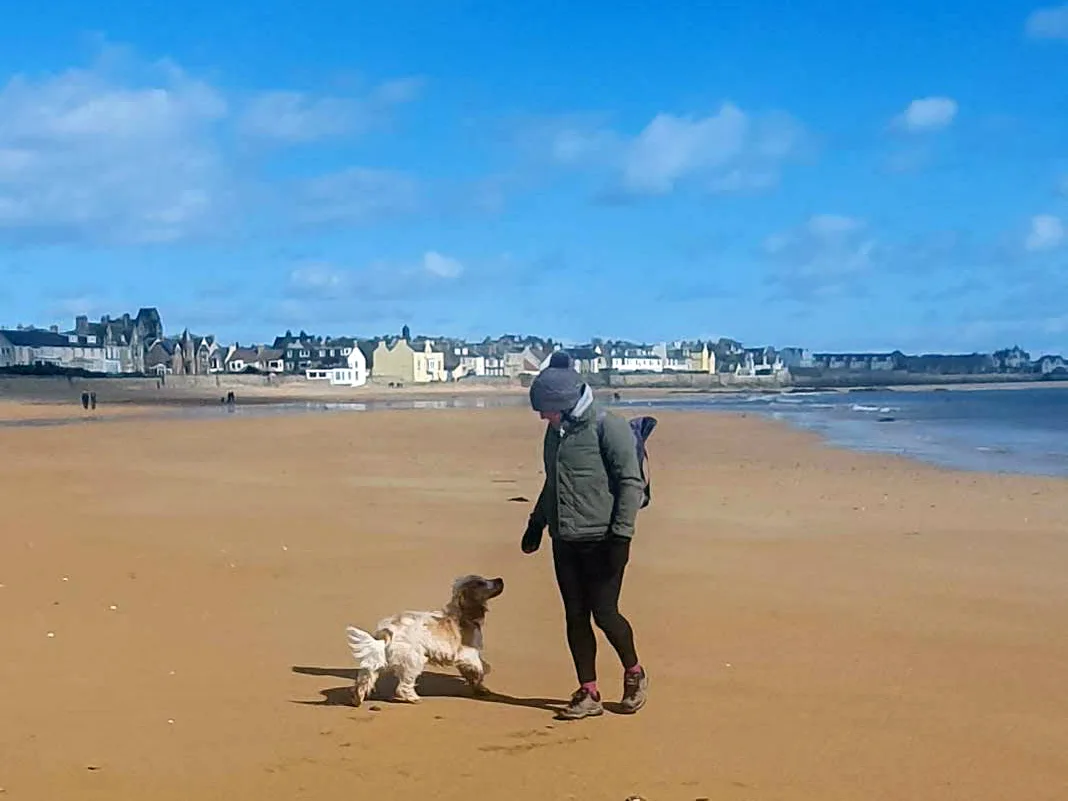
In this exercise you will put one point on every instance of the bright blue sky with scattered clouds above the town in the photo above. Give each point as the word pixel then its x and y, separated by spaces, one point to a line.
pixel 834 176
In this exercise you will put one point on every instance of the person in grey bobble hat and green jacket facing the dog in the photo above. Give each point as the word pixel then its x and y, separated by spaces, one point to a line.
pixel 592 493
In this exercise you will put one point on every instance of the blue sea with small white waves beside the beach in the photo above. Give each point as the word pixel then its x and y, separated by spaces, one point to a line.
pixel 1002 431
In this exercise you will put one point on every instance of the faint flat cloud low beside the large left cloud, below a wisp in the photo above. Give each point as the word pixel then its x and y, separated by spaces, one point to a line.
pixel 357 196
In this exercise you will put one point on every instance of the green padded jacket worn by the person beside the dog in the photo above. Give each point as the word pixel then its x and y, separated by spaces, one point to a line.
pixel 593 485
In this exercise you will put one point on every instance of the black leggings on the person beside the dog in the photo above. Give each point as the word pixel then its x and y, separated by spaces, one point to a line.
pixel 590 576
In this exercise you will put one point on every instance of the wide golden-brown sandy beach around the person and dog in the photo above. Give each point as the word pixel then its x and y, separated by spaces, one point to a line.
pixel 819 625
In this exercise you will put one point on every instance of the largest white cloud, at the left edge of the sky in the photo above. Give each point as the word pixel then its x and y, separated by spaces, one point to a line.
pixel 85 159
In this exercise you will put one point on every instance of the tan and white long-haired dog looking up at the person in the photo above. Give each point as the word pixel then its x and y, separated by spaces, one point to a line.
pixel 406 643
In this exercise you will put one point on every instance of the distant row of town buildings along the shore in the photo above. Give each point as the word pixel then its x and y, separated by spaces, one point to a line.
pixel 137 345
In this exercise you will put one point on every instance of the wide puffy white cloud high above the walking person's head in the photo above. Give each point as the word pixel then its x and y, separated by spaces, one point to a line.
pixel 728 151
